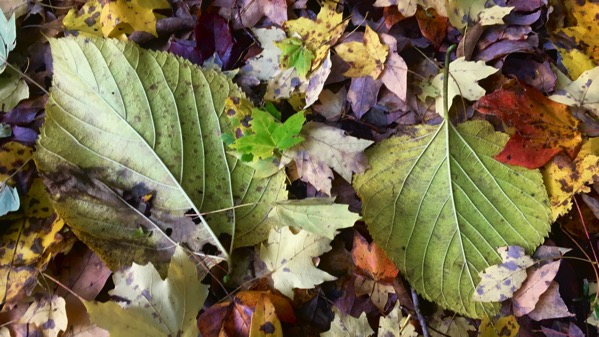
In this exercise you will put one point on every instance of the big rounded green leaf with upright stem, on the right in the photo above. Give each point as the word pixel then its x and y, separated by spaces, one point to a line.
pixel 439 205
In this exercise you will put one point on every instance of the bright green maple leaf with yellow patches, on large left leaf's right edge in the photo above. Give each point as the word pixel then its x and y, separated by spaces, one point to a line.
pixel 268 134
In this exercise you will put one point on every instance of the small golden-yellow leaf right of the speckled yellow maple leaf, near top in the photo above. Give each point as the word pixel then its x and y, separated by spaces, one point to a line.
pixel 366 58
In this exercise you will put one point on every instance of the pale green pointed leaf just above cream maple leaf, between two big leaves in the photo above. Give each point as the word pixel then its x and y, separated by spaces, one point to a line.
pixel 319 216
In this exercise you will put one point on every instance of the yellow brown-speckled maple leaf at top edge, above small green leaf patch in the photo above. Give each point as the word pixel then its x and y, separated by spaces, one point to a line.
pixel 321 34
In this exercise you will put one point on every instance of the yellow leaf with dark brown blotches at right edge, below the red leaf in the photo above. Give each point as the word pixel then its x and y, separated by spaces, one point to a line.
pixel 565 178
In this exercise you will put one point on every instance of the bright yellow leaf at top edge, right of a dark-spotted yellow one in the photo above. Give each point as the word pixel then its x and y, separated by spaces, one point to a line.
pixel 124 17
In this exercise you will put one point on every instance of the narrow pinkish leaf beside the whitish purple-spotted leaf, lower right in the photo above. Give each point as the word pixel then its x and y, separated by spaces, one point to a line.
pixel 537 282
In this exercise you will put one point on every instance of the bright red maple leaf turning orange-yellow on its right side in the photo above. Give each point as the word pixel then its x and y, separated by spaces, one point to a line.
pixel 544 127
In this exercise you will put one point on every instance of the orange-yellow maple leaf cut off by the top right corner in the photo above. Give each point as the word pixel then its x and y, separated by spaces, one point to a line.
pixel 586 31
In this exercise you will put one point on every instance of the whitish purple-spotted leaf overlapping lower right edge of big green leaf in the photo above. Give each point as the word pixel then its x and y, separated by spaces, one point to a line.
pixel 500 282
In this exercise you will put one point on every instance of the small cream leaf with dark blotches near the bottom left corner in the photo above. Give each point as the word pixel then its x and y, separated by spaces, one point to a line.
pixel 48 314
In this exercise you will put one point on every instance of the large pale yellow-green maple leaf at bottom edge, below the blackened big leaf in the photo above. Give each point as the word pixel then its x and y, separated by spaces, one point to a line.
pixel 152 306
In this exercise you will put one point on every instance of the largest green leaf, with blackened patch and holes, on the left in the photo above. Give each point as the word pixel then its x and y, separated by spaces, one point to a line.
pixel 122 123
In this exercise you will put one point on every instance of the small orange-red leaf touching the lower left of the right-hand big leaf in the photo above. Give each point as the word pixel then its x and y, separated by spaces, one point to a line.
pixel 372 261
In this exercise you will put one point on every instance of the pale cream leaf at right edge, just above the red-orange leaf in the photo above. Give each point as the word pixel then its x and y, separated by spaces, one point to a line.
pixel 584 92
